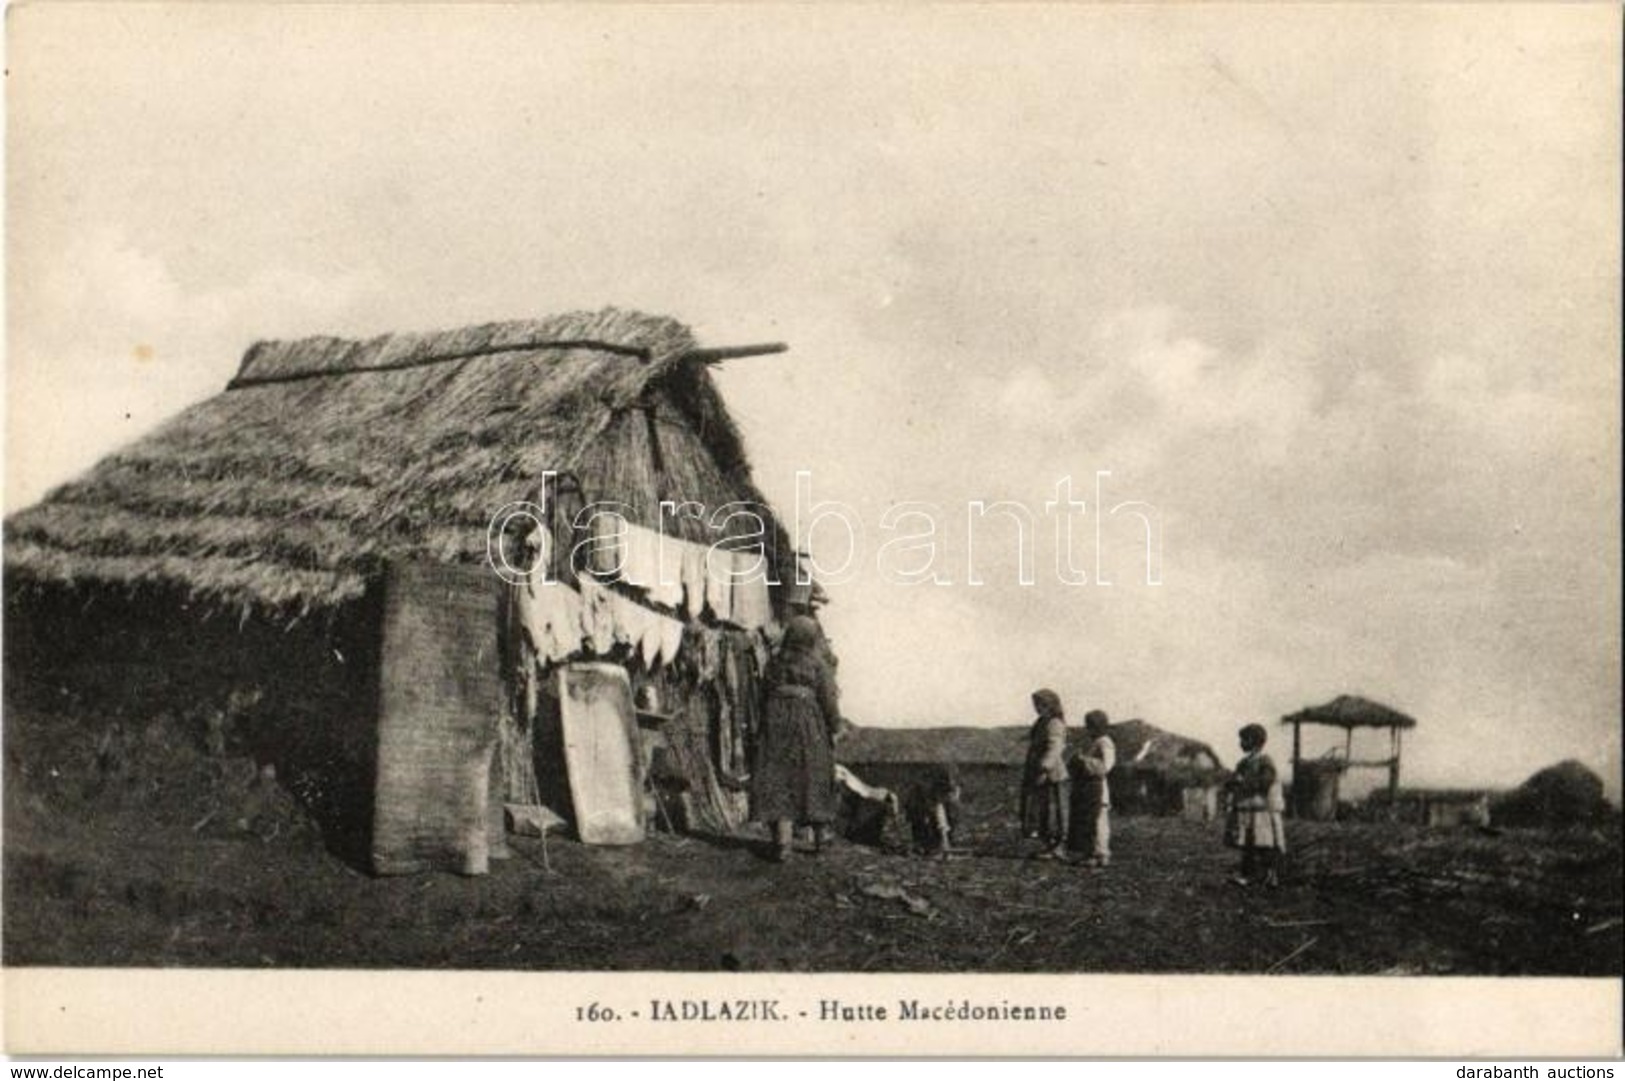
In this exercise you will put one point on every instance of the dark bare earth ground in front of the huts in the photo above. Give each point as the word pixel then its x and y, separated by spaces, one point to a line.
pixel 197 864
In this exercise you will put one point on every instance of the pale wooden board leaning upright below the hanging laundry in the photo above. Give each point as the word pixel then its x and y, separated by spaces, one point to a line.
pixel 602 753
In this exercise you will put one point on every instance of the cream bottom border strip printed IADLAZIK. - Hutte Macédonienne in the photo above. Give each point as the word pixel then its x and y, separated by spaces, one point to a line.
pixel 100 1012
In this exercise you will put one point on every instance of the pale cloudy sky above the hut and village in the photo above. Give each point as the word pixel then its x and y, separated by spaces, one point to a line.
pixel 1332 292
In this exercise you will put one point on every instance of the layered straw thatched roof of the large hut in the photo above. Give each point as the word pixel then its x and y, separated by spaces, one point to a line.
pixel 326 458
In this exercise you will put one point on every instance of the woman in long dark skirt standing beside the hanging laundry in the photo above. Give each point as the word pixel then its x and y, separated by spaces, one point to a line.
pixel 794 783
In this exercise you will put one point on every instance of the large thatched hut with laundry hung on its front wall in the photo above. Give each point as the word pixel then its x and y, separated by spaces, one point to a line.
pixel 321 534
